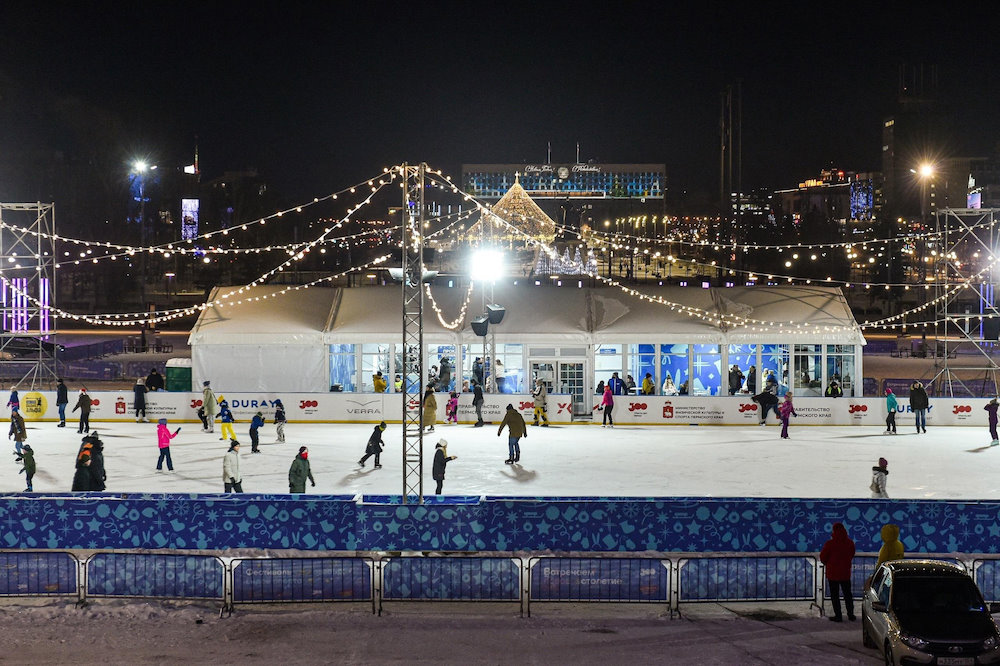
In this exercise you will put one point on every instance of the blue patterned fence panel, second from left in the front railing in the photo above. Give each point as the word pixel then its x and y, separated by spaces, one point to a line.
pixel 153 575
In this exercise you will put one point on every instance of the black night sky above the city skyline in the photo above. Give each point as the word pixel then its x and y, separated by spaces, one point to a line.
pixel 320 98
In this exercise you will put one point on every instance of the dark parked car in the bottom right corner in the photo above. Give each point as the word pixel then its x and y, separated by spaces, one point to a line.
pixel 928 612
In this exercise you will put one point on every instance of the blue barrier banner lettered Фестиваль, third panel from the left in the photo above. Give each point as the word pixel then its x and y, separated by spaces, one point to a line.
pixel 302 579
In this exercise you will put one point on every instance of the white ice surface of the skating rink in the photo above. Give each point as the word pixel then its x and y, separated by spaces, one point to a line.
pixel 721 461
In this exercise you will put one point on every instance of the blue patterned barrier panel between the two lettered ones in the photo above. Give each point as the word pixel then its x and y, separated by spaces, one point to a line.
pixel 451 579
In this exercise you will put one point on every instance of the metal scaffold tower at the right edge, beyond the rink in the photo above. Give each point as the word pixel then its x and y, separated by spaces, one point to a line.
pixel 963 231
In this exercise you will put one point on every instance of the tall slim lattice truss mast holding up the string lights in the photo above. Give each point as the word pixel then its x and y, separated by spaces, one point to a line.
pixel 412 213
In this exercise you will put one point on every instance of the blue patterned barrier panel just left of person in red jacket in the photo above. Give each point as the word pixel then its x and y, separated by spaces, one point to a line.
pixel 747 578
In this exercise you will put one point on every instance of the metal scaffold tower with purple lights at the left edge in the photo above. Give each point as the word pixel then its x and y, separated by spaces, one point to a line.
pixel 27 292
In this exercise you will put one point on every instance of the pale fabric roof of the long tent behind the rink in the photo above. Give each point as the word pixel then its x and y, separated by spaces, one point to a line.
pixel 544 314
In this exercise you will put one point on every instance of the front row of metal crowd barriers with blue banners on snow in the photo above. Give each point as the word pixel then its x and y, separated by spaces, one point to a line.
pixel 765 577
